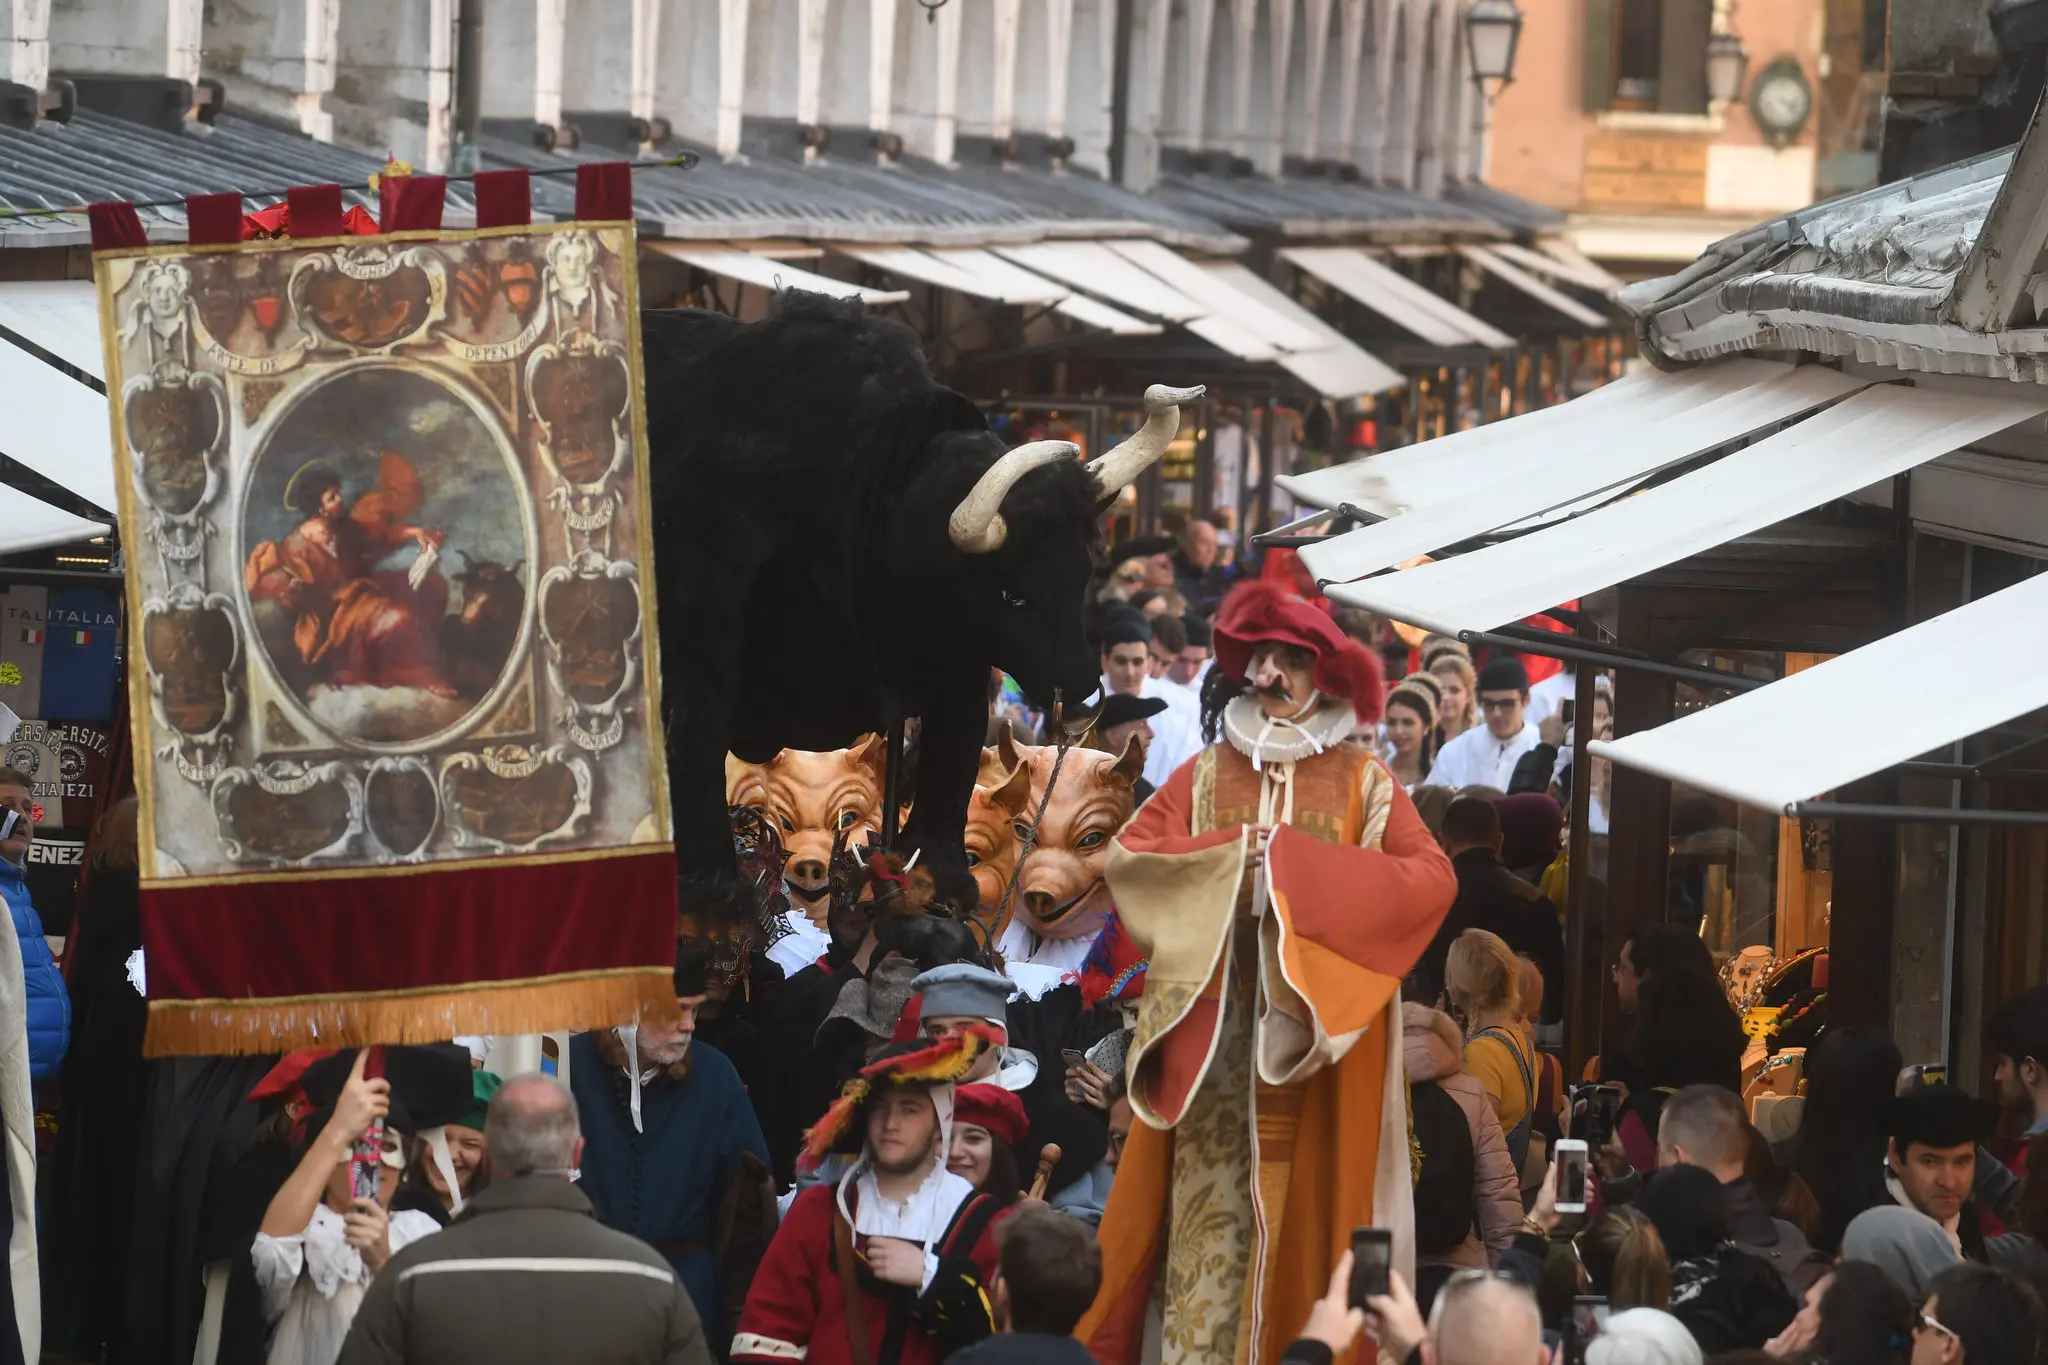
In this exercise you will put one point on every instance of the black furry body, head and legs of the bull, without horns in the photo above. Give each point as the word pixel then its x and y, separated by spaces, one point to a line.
pixel 804 472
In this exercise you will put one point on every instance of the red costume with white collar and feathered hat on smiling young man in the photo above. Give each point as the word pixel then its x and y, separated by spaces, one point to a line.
pixel 814 1298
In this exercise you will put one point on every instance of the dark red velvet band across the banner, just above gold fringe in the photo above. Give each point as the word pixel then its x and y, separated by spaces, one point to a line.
pixel 435 928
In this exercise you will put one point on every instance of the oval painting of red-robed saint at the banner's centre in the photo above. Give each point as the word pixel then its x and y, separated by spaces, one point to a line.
pixel 384 547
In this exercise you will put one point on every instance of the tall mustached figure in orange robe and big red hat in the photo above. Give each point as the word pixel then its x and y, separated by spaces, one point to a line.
pixel 1281 885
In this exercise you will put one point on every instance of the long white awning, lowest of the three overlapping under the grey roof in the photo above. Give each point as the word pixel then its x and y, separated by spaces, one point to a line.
pixel 1852 445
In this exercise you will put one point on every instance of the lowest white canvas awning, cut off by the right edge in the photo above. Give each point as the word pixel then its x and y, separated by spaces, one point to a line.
pixel 1859 713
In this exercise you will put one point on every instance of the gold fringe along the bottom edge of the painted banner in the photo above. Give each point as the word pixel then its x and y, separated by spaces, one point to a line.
pixel 429 1016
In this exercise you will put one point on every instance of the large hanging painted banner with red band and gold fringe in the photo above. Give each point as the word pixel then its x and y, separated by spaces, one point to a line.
pixel 394 658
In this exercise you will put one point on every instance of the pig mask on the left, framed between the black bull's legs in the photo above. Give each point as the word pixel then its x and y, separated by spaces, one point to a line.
pixel 812 799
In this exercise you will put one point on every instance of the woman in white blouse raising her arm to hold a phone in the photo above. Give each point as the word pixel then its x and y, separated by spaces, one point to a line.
pixel 318 1245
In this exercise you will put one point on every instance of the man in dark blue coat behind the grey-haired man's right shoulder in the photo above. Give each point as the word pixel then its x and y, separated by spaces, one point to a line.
pixel 667 1133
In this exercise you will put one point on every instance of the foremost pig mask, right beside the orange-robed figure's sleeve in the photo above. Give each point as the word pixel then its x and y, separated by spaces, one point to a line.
pixel 1062 893
